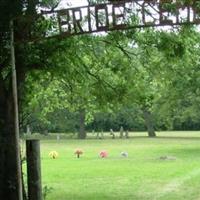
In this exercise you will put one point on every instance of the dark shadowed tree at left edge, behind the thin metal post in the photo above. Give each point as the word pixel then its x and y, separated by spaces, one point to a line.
pixel 28 56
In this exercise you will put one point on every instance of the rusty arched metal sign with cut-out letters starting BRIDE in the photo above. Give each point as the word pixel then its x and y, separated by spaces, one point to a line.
pixel 121 15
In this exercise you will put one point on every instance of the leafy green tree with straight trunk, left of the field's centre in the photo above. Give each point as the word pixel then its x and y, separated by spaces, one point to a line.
pixel 81 81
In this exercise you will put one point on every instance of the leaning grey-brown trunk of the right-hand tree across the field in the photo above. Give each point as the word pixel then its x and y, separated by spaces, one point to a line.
pixel 149 123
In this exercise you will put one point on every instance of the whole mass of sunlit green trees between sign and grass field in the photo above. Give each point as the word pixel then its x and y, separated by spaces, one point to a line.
pixel 146 83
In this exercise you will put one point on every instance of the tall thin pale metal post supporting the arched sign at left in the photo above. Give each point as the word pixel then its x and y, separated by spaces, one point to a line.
pixel 16 118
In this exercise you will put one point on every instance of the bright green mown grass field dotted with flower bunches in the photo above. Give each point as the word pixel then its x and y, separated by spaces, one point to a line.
pixel 141 176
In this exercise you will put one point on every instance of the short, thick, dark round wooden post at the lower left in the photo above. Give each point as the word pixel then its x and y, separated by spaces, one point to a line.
pixel 33 170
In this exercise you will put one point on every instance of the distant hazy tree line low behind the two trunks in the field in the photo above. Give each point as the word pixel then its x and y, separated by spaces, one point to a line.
pixel 64 121
